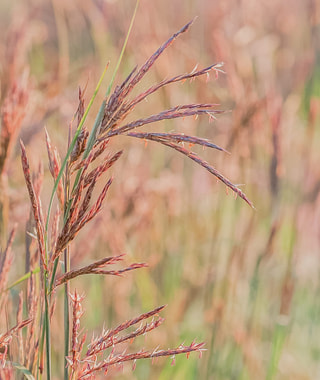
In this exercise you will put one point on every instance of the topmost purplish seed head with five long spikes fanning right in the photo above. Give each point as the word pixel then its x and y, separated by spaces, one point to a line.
pixel 119 106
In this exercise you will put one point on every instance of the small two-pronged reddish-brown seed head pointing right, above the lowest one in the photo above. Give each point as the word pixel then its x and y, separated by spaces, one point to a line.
pixel 97 268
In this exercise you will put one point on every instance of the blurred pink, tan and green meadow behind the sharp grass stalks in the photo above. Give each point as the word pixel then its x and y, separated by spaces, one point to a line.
pixel 245 281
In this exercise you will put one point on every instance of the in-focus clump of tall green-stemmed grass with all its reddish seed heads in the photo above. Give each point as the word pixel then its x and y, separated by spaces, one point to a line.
pixel 75 180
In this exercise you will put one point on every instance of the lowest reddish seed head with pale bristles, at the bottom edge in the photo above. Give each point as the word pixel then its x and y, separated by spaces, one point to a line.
pixel 90 364
